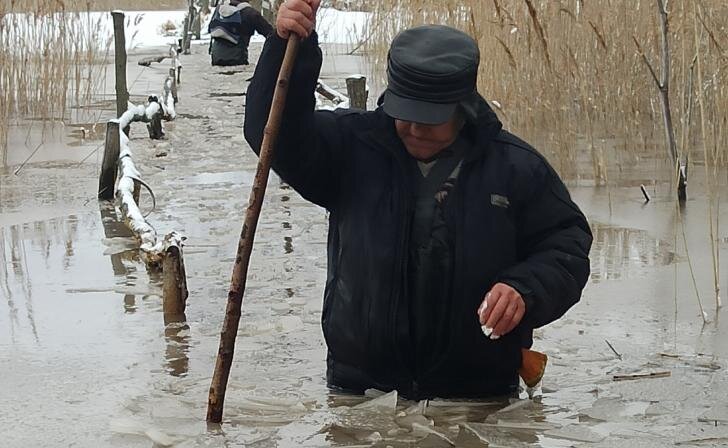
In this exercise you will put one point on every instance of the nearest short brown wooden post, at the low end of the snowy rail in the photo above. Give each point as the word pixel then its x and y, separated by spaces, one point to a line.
pixel 175 279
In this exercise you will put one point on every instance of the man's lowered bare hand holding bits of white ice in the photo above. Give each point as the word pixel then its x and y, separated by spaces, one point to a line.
pixel 502 310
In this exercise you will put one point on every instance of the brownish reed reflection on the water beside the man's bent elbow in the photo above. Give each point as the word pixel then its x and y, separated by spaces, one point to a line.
pixel 619 252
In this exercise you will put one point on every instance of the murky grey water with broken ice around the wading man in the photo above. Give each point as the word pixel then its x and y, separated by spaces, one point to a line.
pixel 88 359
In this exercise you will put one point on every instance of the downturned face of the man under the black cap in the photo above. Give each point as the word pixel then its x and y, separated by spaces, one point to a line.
pixel 423 141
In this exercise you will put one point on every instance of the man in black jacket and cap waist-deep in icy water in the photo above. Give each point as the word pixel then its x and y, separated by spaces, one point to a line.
pixel 440 221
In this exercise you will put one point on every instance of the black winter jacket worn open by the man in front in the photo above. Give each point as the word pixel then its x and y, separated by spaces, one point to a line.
pixel 512 218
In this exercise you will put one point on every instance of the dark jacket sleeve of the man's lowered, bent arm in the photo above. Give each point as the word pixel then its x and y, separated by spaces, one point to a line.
pixel 554 242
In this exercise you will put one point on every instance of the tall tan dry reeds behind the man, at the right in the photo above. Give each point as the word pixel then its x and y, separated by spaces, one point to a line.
pixel 568 74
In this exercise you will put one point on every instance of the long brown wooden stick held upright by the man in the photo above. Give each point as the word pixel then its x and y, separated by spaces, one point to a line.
pixel 245 245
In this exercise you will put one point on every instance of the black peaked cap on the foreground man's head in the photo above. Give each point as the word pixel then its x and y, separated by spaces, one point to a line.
pixel 431 70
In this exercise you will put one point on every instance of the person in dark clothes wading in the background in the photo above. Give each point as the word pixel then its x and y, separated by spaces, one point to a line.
pixel 233 23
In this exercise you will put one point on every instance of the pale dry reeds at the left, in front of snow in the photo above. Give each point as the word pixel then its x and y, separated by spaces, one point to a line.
pixel 52 58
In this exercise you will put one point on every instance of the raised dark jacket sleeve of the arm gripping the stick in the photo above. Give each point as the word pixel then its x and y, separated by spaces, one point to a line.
pixel 306 155
